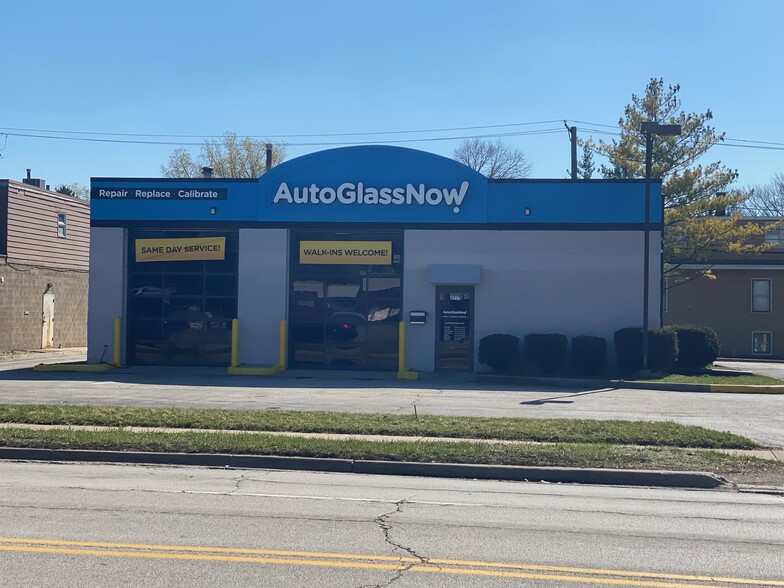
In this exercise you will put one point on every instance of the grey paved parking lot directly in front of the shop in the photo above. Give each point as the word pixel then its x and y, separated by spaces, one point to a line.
pixel 758 416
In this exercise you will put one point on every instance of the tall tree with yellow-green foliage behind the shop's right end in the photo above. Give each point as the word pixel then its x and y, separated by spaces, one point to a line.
pixel 698 198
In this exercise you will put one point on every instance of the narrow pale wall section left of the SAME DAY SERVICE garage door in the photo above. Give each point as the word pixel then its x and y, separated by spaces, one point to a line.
pixel 106 291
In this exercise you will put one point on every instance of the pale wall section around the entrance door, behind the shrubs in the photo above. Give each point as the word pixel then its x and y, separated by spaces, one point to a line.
pixel 570 282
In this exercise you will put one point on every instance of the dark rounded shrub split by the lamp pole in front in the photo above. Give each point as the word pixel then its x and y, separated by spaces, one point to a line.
pixel 662 349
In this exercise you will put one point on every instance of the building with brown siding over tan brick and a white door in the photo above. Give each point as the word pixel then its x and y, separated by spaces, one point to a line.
pixel 44 260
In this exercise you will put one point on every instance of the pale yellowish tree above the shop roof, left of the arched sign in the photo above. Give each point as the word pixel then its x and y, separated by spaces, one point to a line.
pixel 229 157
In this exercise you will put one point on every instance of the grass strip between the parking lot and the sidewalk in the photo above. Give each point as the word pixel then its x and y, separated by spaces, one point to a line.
pixel 664 434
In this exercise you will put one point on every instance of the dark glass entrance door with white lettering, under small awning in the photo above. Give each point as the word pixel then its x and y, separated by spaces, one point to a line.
pixel 455 338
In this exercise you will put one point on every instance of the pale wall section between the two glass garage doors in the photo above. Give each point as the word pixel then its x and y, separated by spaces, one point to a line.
pixel 262 293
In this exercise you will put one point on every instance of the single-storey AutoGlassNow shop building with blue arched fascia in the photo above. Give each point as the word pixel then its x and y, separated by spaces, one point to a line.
pixel 345 244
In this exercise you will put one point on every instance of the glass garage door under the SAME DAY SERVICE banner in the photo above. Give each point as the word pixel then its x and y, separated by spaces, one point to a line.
pixel 180 310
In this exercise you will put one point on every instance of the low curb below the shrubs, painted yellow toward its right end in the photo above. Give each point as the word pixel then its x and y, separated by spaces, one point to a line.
pixel 632 384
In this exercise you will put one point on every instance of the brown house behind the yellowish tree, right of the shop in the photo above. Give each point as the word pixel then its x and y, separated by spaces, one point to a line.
pixel 744 304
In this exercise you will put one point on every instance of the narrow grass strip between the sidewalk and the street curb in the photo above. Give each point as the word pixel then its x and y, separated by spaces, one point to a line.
pixel 580 455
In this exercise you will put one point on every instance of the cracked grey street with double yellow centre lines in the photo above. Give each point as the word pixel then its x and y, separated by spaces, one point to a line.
pixel 114 525
